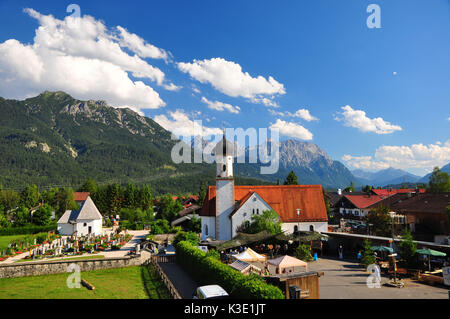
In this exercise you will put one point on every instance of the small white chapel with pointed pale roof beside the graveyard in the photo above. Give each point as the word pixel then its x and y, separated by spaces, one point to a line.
pixel 81 222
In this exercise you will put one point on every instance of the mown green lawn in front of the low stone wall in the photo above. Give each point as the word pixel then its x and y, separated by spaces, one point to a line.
pixel 136 282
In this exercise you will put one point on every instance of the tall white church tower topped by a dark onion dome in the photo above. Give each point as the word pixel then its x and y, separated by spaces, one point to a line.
pixel 224 152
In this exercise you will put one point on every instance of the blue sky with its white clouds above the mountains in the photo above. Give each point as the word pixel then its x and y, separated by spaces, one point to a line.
pixel 321 55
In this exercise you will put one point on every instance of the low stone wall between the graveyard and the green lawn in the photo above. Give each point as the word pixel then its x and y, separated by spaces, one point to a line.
pixel 55 267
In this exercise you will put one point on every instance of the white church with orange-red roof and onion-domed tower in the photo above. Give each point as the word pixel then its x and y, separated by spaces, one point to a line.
pixel 227 207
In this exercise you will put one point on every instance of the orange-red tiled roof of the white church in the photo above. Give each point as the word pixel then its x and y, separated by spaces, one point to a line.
pixel 284 199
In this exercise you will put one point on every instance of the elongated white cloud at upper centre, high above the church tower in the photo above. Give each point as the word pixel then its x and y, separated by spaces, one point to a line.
pixel 228 78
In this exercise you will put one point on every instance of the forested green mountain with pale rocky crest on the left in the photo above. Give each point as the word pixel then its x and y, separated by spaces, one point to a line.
pixel 55 140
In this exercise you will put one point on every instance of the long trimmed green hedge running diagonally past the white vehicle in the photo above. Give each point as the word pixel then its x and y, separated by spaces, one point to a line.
pixel 208 271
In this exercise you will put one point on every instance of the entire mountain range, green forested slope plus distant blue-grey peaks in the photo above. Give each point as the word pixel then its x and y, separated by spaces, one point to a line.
pixel 55 140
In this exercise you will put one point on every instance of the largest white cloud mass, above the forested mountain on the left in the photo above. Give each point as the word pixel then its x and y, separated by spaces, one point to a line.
pixel 80 56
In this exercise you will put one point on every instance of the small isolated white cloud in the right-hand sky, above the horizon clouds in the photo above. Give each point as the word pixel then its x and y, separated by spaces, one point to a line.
pixel 359 120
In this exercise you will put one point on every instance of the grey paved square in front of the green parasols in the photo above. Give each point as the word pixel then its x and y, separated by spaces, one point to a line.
pixel 347 280
